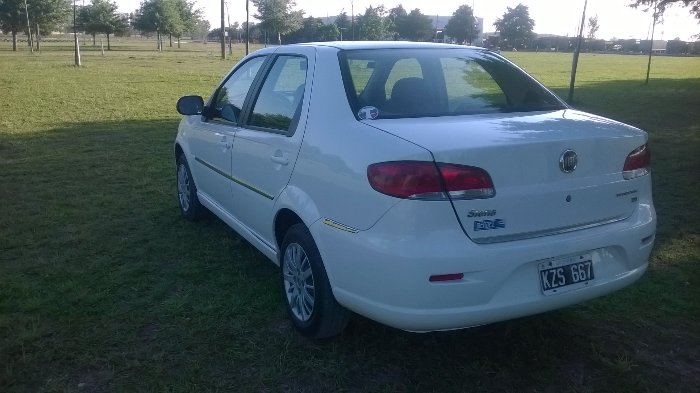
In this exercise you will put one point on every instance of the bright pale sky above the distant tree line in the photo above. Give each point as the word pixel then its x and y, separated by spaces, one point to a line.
pixel 561 17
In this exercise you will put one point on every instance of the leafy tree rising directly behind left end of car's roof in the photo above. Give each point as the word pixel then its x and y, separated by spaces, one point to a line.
pixel 278 16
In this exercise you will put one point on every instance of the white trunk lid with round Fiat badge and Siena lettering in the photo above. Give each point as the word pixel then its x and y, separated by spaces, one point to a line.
pixel 526 155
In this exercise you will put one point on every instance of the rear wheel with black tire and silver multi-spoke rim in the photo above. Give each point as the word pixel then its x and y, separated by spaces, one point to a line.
pixel 305 288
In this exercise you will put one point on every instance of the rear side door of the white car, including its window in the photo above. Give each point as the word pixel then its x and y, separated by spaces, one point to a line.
pixel 268 142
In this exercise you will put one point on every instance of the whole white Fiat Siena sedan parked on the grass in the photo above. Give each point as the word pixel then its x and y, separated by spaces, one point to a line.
pixel 424 186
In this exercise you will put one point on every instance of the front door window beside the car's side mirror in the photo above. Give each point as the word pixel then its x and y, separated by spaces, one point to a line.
pixel 230 97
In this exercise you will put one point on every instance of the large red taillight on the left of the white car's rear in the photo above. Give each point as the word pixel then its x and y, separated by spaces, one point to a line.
pixel 429 181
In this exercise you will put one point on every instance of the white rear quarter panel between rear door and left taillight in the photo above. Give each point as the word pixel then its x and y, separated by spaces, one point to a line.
pixel 332 165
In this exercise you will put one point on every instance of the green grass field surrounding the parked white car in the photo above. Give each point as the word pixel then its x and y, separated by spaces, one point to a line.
pixel 104 287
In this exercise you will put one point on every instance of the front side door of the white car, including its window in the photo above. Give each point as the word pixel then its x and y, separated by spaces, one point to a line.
pixel 212 137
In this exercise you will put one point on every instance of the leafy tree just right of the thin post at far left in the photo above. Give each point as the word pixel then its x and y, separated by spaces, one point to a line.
pixel 101 17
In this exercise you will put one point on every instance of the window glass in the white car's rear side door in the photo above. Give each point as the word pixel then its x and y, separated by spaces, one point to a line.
pixel 279 102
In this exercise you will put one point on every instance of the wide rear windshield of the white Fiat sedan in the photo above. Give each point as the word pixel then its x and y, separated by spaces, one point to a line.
pixel 396 83
